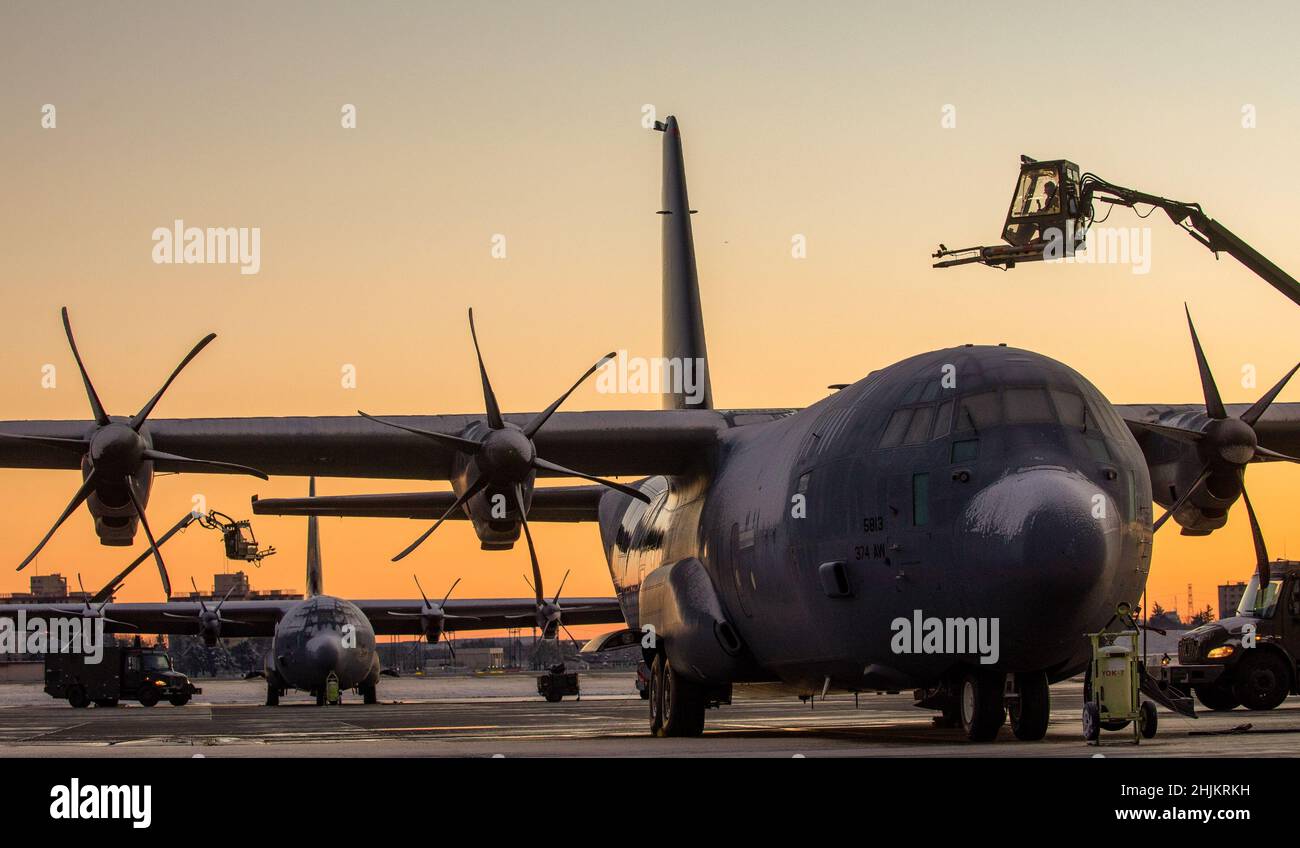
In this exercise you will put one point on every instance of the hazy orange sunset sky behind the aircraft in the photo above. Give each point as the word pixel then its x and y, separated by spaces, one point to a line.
pixel 525 120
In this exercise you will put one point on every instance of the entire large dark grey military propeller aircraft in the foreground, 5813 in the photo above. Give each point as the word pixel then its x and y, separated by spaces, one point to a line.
pixel 990 491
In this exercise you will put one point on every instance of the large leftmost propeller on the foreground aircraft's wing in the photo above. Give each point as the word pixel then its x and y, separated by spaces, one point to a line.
pixel 114 453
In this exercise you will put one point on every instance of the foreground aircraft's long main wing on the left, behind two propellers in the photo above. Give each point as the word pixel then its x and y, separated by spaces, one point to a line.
pixel 638 443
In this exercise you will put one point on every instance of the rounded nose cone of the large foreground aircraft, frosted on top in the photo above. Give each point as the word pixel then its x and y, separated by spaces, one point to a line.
pixel 1042 550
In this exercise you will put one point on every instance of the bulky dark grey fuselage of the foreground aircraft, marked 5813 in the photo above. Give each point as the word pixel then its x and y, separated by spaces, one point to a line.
pixel 985 483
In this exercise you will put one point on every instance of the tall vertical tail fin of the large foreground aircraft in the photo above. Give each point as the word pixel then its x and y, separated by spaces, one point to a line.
pixel 687 386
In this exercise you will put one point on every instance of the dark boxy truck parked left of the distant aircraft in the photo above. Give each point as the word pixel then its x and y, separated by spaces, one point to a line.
pixel 133 673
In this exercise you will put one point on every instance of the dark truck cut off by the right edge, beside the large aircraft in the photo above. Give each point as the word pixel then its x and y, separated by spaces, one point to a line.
pixel 1249 659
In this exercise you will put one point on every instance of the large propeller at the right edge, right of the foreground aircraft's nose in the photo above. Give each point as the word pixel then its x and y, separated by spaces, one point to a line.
pixel 1228 444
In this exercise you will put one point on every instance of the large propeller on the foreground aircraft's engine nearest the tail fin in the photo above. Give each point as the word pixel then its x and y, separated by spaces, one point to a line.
pixel 506 455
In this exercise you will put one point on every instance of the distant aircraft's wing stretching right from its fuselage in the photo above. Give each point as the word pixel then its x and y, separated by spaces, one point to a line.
pixel 486 615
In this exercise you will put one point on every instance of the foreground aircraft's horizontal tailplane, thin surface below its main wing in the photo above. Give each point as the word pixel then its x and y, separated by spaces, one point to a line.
pixel 551 504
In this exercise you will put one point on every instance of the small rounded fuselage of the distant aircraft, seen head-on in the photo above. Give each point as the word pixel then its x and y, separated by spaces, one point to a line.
pixel 319 637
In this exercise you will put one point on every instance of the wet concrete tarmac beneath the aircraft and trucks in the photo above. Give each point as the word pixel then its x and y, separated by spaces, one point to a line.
pixel 502 716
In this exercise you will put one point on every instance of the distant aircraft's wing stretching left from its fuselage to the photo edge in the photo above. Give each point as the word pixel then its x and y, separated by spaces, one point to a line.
pixel 246 618
